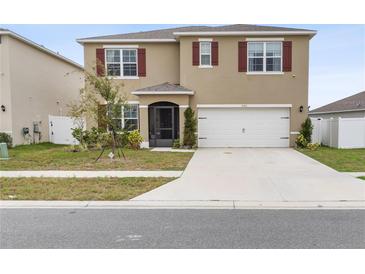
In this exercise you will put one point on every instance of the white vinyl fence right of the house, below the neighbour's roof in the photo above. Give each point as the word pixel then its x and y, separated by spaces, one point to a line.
pixel 339 132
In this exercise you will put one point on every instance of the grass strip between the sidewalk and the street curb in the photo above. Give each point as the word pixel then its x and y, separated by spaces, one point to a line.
pixel 76 189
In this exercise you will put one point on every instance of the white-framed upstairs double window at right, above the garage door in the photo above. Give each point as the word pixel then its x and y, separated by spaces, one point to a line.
pixel 265 56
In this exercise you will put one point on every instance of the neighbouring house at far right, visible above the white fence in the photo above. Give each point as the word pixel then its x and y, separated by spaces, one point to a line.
pixel 349 107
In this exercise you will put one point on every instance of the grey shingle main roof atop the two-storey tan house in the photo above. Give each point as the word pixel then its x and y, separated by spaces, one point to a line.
pixel 169 33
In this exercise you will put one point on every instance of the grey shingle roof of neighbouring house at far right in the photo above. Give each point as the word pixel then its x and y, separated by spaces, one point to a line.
pixel 351 103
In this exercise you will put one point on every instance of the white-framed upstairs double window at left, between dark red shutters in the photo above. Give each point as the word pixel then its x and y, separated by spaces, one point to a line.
pixel 121 62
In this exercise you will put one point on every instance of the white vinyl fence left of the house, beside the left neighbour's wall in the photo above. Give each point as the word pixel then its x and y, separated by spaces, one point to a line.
pixel 60 130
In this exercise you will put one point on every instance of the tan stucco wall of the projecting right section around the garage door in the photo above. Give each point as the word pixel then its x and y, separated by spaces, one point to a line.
pixel 223 84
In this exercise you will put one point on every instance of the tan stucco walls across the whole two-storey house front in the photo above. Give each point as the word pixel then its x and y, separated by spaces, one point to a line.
pixel 222 84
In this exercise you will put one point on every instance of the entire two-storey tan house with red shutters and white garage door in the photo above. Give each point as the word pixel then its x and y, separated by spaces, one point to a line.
pixel 248 84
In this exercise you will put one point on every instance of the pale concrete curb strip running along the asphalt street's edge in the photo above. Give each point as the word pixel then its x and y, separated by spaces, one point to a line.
pixel 185 204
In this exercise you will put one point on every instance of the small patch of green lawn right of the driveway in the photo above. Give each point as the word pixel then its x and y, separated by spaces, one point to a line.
pixel 345 160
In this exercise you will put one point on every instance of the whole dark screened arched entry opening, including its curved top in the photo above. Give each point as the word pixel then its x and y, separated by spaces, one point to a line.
pixel 163 124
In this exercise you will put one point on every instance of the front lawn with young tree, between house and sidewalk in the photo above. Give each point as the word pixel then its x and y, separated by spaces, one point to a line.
pixel 46 156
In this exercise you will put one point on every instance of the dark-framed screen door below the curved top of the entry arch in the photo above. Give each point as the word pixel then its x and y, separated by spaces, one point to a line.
pixel 162 126
